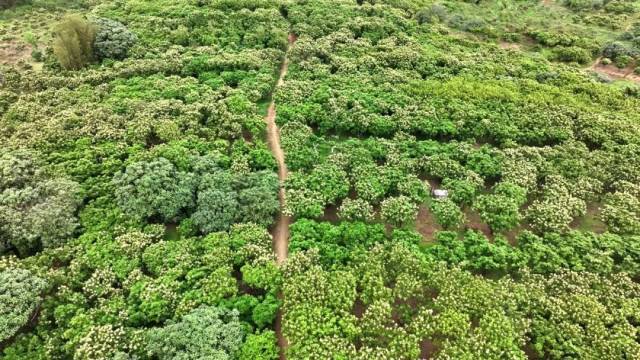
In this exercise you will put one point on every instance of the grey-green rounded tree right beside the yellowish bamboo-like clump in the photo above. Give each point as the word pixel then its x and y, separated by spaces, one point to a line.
pixel 113 40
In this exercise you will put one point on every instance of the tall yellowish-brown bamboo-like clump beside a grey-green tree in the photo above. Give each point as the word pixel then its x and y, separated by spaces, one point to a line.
pixel 73 42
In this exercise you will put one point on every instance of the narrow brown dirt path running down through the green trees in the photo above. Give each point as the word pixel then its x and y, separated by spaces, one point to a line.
pixel 280 232
